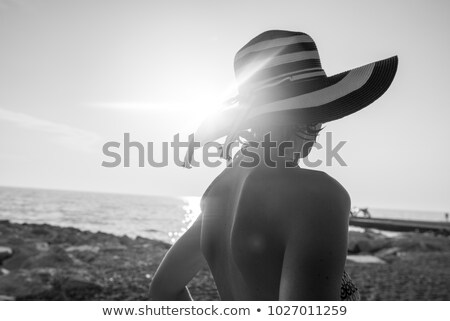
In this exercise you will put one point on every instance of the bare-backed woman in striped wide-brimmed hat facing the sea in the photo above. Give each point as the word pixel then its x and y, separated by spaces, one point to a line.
pixel 270 230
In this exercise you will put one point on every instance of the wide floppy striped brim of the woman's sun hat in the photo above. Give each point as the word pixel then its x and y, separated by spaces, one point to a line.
pixel 332 98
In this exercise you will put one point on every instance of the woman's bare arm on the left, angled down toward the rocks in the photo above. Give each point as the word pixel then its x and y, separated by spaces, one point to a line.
pixel 183 260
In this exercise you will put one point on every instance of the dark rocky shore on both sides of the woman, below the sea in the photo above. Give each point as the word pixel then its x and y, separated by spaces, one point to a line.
pixel 46 262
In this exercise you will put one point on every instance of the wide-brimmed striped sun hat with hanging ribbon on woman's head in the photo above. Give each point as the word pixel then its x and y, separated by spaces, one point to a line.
pixel 280 80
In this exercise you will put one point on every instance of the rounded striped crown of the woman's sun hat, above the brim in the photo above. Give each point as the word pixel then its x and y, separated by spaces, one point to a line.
pixel 275 56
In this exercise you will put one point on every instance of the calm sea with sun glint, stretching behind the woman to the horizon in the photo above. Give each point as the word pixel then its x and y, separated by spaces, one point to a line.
pixel 157 217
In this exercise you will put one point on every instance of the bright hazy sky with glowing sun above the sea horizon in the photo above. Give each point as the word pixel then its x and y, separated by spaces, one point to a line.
pixel 75 75
